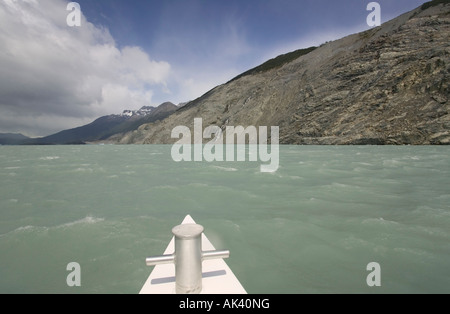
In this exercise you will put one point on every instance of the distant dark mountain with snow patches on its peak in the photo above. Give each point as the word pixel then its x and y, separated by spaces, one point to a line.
pixel 107 126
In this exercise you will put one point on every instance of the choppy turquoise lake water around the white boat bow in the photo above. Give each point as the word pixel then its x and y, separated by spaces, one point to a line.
pixel 311 227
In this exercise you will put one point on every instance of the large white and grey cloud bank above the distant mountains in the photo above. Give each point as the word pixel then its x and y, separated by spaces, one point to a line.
pixel 55 77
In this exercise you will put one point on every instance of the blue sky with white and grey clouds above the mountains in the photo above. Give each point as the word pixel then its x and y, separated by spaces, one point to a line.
pixel 130 53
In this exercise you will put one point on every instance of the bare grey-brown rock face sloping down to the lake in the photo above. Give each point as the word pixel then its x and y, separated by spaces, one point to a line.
pixel 388 85
